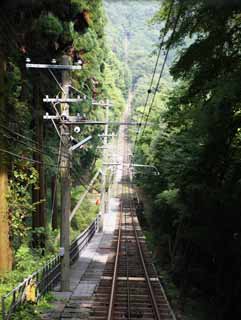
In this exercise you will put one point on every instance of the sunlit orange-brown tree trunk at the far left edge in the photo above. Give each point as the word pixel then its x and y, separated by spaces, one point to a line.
pixel 5 246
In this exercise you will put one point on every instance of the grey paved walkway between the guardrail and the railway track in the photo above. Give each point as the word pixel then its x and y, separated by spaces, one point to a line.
pixel 86 273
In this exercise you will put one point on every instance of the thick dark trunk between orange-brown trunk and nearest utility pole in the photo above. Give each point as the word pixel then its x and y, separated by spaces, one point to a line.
pixel 38 218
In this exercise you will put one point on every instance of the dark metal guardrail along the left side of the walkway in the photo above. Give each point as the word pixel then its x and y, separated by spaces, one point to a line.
pixel 46 277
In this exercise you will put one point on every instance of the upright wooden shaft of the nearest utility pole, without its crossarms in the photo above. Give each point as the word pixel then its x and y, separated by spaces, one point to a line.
pixel 65 183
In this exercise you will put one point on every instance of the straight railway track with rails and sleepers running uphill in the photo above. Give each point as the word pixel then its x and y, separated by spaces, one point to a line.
pixel 129 287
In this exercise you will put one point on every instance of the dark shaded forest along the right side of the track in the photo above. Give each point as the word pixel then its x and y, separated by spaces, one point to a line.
pixel 195 144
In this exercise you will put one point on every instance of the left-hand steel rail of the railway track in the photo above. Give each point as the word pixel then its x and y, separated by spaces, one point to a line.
pixel 114 278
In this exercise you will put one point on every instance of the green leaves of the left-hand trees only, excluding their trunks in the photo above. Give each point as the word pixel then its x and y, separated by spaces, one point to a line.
pixel 50 29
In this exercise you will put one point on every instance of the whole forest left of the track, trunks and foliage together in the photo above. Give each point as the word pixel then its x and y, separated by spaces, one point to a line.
pixel 29 145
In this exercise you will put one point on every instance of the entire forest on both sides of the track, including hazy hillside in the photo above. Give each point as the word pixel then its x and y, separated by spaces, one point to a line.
pixel 179 64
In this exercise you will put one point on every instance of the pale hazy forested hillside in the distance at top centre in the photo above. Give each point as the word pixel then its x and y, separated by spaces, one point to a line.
pixel 131 37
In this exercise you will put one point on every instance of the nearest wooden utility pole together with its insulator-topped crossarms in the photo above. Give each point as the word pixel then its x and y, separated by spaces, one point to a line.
pixel 66 152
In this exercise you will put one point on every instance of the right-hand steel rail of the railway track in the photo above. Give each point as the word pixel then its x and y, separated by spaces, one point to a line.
pixel 152 294
